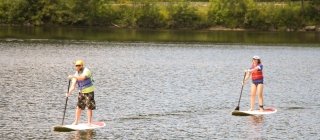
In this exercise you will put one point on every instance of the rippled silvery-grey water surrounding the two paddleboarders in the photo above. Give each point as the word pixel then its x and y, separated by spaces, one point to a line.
pixel 159 91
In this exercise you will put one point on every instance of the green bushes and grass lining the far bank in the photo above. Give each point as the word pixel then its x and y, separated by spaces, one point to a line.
pixel 235 15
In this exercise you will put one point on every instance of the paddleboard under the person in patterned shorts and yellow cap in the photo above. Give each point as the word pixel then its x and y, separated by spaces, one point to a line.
pixel 81 126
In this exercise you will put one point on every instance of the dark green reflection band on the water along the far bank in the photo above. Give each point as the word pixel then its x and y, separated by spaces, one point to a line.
pixel 125 35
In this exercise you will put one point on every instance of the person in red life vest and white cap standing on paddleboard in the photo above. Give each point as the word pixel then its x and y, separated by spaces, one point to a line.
pixel 257 82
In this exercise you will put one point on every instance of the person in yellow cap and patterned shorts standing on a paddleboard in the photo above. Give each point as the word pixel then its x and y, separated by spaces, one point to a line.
pixel 83 79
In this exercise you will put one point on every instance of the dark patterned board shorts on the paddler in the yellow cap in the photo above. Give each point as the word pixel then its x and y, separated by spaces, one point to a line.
pixel 86 100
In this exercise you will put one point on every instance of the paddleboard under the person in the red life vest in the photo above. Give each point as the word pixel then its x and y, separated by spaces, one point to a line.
pixel 268 110
